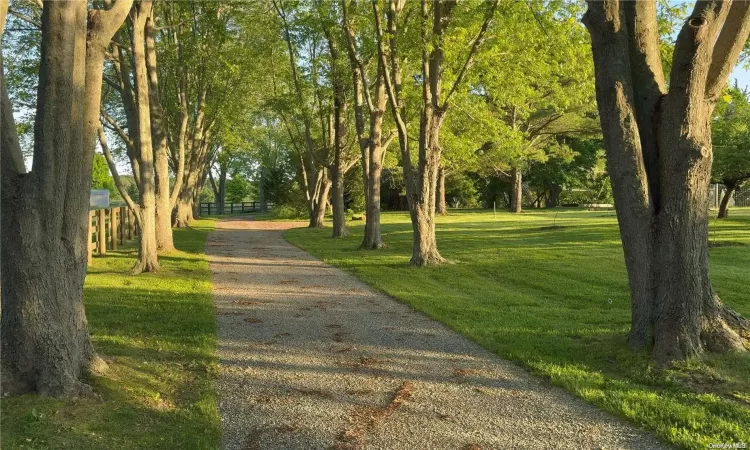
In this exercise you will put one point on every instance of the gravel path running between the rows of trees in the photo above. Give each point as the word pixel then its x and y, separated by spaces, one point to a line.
pixel 312 358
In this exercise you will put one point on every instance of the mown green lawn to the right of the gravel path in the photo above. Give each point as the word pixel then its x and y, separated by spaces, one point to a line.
pixel 556 301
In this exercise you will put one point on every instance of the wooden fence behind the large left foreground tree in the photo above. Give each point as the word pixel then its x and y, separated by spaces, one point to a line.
pixel 110 227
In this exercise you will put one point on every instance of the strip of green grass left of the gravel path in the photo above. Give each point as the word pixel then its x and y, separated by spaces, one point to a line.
pixel 157 333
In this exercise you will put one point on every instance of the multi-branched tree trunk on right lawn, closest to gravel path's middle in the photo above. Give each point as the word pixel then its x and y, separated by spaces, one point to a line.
pixel 421 181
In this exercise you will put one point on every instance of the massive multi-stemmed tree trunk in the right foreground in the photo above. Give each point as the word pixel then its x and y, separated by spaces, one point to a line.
pixel 659 154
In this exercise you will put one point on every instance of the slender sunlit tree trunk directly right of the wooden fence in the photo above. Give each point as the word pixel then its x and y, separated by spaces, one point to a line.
pixel 147 246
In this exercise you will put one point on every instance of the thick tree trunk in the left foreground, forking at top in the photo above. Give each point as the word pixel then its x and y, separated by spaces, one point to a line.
pixel 45 341
